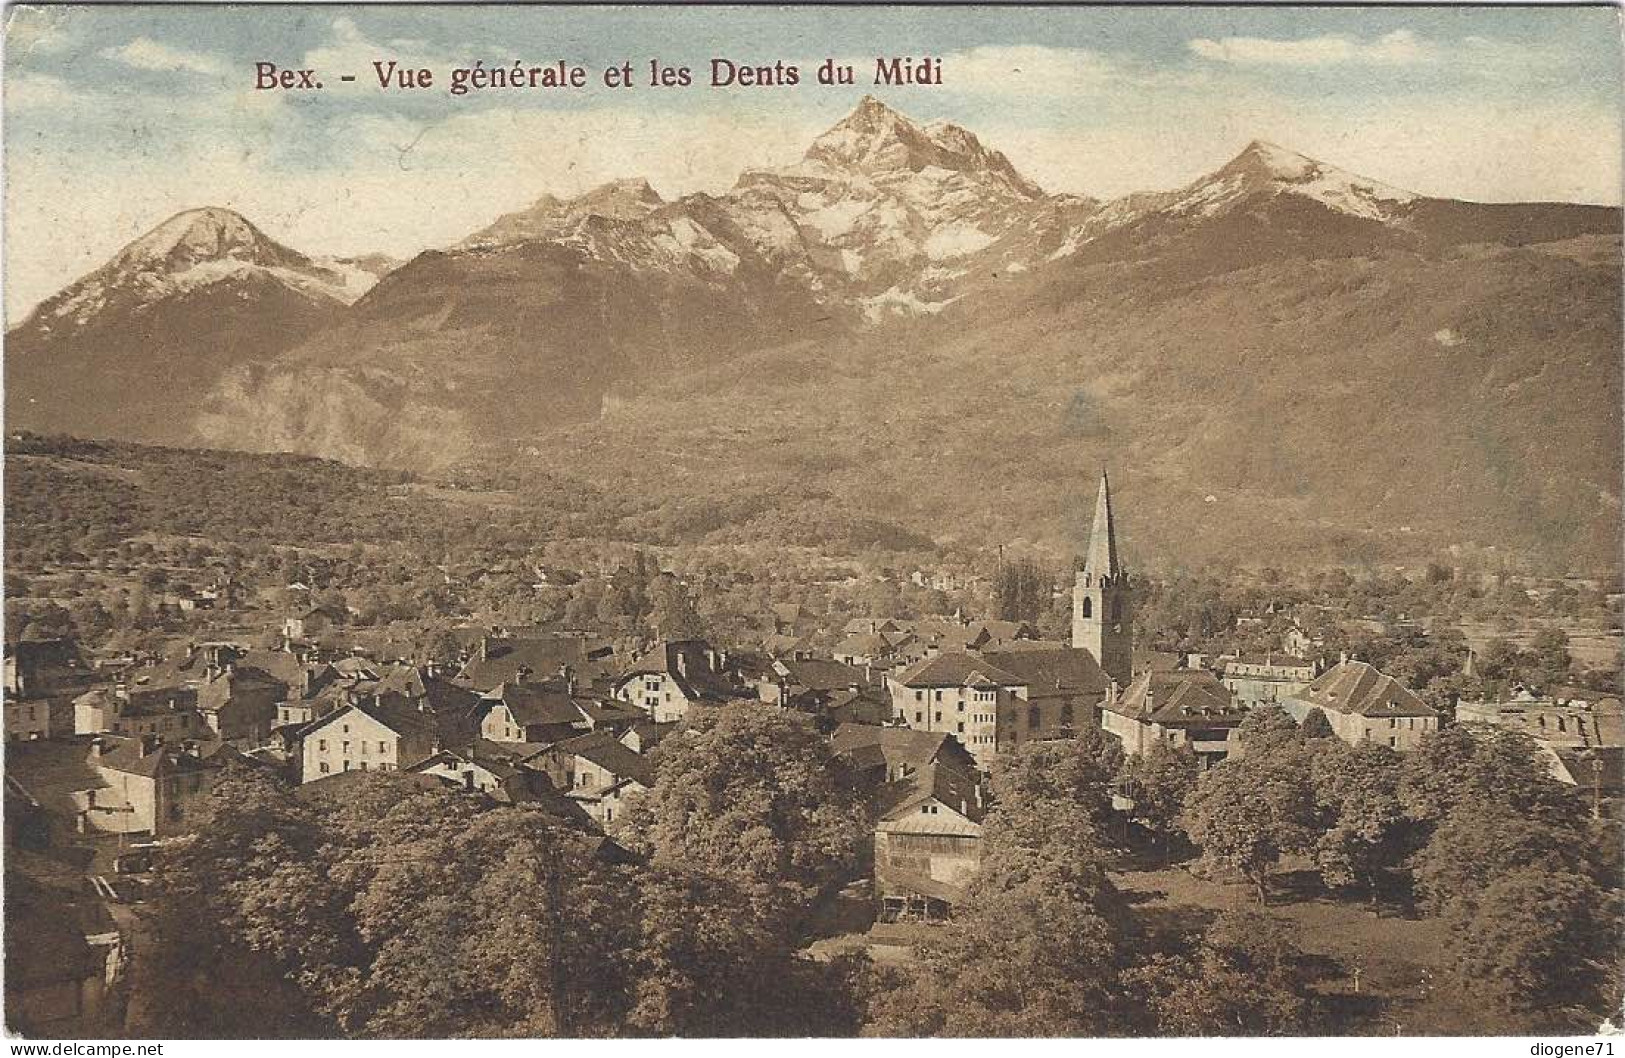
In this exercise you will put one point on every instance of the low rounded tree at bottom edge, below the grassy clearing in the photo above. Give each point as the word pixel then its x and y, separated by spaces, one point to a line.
pixel 1244 978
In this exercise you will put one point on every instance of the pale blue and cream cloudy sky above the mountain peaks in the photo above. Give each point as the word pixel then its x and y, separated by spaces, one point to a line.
pixel 118 118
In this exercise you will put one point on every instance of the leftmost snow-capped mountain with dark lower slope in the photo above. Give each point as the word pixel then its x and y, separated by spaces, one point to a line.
pixel 131 349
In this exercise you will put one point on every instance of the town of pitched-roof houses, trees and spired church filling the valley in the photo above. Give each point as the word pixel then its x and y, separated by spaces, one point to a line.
pixel 548 792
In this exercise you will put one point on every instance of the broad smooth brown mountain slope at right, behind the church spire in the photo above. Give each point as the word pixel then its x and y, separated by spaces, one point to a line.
pixel 1345 410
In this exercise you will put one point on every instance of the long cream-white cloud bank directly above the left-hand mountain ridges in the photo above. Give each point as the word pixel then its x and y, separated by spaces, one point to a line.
pixel 399 188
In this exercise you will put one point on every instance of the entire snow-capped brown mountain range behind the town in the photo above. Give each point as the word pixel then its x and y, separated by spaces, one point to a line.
pixel 903 324
